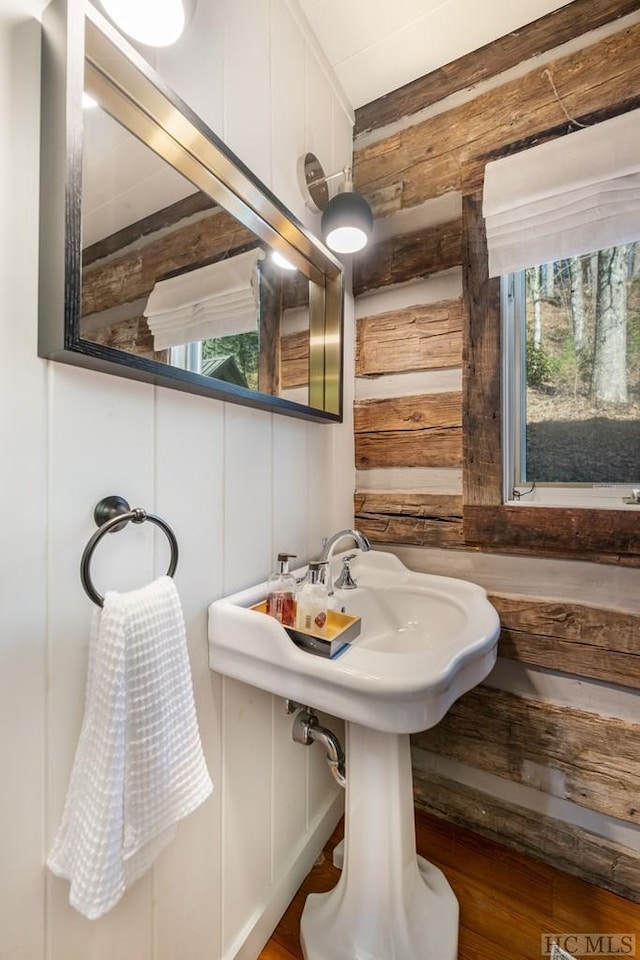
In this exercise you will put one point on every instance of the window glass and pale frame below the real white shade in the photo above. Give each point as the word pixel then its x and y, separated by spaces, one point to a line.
pixel 571 336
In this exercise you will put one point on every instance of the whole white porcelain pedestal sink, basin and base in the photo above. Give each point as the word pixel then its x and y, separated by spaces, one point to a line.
pixel 425 640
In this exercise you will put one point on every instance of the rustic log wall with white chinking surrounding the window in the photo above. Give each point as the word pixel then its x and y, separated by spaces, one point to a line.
pixel 410 431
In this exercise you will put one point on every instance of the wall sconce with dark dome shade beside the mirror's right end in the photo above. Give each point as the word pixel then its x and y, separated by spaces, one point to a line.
pixel 347 220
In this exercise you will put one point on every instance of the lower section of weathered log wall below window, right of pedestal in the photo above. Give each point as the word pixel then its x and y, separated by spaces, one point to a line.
pixel 580 755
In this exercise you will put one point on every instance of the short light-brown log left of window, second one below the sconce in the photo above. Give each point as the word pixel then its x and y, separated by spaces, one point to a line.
pixel 417 338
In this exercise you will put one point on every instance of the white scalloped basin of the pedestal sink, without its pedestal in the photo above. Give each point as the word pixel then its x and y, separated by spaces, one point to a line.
pixel 425 640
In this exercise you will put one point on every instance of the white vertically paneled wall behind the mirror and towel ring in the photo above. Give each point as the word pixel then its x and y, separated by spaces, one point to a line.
pixel 237 485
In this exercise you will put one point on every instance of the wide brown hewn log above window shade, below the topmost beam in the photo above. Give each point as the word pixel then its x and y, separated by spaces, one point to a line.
pixel 445 151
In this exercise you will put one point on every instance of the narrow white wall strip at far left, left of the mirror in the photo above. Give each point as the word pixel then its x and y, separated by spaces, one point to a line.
pixel 23 511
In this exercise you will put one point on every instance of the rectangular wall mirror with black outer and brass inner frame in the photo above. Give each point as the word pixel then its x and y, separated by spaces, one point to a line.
pixel 163 258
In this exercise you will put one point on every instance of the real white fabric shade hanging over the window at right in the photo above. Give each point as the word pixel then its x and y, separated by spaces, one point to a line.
pixel 577 194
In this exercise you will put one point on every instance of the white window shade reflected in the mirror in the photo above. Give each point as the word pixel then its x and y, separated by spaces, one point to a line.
pixel 218 300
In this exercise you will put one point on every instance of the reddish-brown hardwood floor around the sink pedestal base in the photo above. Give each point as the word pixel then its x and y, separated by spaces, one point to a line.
pixel 508 901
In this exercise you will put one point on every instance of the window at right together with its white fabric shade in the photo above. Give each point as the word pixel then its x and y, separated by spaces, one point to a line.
pixel 570 371
